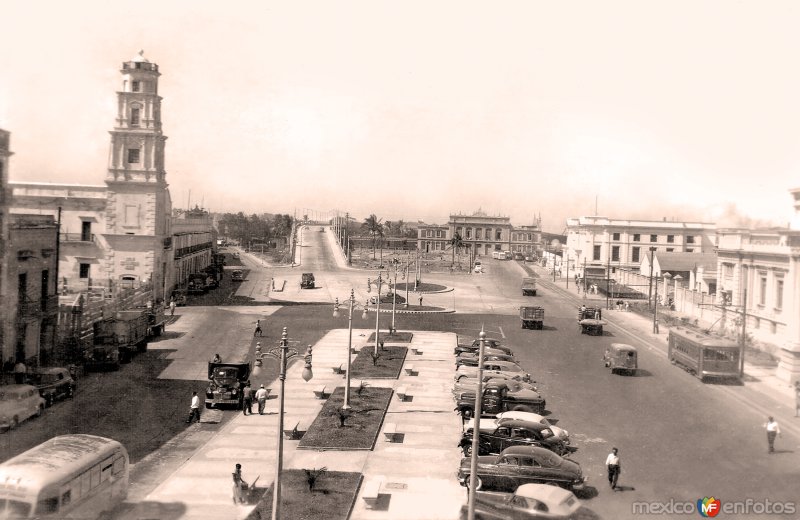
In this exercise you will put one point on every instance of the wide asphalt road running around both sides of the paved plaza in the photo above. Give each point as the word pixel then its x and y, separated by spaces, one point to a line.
pixel 679 439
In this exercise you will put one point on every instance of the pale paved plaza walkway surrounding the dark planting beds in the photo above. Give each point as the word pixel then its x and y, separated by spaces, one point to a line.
pixel 425 424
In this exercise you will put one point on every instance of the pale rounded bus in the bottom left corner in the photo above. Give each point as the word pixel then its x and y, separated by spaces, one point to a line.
pixel 69 476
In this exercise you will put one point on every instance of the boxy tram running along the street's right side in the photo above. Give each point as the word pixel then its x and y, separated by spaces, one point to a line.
pixel 704 355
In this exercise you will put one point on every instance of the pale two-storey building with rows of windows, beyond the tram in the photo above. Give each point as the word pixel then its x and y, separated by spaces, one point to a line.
pixel 597 244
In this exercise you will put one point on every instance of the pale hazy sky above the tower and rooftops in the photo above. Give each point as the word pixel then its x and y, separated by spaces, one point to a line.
pixel 416 110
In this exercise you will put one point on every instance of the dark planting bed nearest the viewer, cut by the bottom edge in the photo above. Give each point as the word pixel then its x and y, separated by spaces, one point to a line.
pixel 330 496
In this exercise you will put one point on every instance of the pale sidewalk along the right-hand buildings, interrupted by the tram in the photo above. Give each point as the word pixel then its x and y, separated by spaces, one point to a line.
pixel 773 397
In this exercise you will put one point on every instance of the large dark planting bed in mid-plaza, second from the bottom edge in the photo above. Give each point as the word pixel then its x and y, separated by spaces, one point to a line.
pixel 354 429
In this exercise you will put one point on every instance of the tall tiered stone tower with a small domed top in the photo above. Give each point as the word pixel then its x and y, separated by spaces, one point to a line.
pixel 138 207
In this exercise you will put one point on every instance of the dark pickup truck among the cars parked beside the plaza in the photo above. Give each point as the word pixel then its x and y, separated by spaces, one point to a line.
pixel 499 397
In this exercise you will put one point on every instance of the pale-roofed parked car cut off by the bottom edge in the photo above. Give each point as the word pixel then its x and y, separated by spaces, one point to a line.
pixel 529 502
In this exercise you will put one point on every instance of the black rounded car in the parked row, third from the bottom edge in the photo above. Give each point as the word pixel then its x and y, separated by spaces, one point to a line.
pixel 515 433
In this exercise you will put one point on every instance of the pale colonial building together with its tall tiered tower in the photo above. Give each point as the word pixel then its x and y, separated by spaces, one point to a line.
pixel 120 234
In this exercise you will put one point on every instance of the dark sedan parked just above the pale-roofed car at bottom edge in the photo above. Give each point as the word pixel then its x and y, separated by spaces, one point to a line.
pixel 520 465
